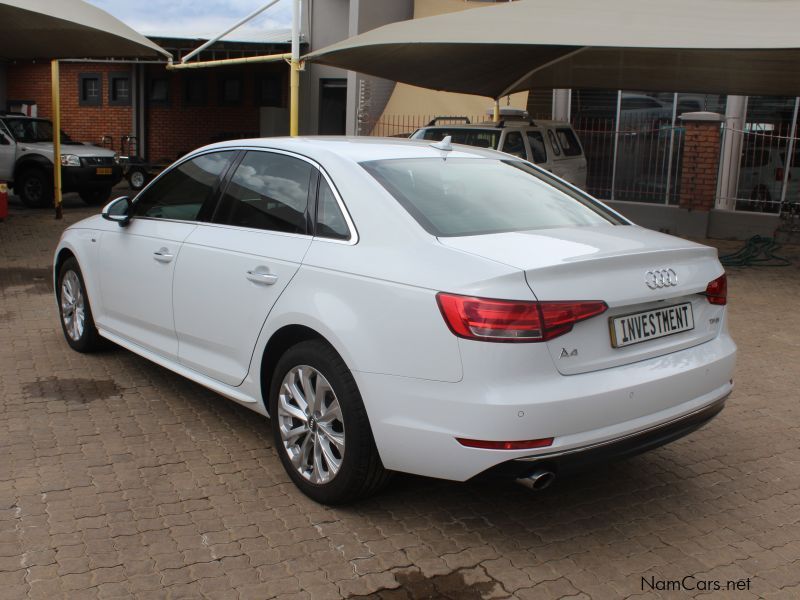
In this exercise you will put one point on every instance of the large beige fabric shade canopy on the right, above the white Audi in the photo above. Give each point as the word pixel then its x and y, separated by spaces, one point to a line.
pixel 715 46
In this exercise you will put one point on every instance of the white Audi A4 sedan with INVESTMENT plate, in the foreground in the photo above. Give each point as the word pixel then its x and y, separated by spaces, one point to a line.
pixel 440 310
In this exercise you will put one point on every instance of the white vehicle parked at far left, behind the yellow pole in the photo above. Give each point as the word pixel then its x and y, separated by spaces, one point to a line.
pixel 26 163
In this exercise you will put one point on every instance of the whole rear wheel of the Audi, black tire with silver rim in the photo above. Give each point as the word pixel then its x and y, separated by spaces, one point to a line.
pixel 359 472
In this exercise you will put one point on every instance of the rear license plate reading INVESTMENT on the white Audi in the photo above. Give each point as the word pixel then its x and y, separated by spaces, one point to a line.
pixel 651 324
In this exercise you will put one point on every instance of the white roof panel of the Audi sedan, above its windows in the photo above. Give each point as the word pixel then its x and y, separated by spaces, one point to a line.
pixel 358 149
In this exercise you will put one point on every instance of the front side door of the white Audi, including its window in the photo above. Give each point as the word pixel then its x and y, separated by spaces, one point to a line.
pixel 137 262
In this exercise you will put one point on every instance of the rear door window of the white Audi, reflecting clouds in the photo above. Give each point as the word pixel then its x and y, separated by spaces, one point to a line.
pixel 268 191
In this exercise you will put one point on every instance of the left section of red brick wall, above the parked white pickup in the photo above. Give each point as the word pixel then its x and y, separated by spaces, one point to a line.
pixel 81 123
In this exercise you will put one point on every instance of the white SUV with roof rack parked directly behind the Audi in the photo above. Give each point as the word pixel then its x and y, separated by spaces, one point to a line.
pixel 553 145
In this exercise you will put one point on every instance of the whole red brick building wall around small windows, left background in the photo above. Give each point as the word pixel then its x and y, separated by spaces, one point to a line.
pixel 172 129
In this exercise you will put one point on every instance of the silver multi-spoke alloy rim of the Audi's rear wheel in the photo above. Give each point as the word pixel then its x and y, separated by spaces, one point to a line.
pixel 311 424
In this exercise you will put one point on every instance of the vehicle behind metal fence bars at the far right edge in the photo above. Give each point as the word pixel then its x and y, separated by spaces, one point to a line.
pixel 761 175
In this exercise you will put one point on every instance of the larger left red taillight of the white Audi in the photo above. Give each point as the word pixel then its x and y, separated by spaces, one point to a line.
pixel 513 320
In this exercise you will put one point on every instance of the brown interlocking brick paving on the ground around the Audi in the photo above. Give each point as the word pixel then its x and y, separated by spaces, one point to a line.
pixel 119 479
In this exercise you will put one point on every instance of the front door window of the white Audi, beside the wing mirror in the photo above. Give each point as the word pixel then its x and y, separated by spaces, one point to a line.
pixel 181 192
